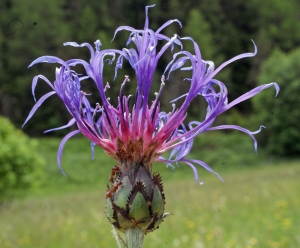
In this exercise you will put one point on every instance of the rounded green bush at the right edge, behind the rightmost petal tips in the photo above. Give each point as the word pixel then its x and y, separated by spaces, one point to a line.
pixel 281 115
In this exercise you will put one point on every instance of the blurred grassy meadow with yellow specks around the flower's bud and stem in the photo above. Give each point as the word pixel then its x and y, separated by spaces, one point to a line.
pixel 256 206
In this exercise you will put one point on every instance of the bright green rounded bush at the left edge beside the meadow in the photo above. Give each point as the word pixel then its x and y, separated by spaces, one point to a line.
pixel 20 165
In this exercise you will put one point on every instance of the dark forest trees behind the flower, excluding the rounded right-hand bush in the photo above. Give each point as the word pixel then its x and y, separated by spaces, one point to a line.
pixel 223 29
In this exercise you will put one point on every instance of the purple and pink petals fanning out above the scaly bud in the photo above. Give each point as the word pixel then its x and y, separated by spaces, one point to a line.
pixel 143 132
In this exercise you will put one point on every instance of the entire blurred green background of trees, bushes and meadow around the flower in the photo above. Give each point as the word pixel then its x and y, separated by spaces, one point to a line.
pixel 256 206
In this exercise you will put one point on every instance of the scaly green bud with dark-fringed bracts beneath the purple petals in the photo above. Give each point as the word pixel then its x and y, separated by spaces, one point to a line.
pixel 136 198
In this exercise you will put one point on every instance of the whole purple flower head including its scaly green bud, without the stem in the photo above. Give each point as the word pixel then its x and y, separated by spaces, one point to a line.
pixel 137 135
